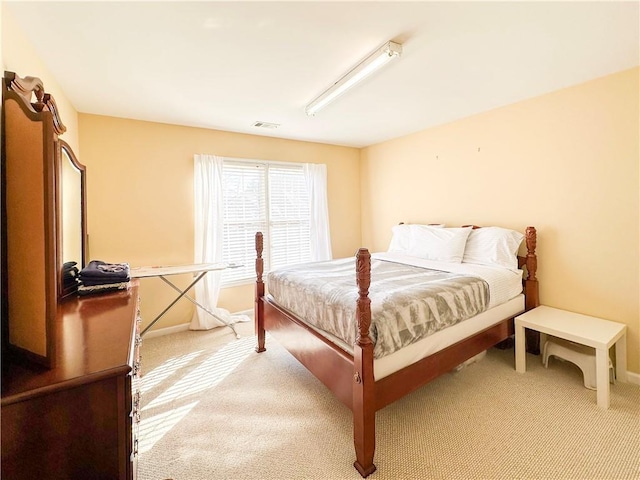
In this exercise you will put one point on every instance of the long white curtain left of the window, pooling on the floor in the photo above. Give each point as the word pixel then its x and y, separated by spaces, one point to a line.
pixel 208 224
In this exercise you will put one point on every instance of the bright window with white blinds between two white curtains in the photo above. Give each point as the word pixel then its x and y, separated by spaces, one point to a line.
pixel 267 197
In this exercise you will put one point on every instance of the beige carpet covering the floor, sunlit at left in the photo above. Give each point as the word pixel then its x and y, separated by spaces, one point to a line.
pixel 215 409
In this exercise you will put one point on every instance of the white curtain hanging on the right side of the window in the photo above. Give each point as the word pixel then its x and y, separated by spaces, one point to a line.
pixel 316 178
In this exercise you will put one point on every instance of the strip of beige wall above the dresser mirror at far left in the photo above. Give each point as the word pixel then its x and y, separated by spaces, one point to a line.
pixel 19 56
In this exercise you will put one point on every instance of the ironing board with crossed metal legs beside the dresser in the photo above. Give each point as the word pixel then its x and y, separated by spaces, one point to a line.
pixel 199 270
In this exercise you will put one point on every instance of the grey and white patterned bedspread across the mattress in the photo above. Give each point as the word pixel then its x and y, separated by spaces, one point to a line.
pixel 408 302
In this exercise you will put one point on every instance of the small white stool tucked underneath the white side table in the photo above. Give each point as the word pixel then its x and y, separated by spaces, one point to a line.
pixel 582 356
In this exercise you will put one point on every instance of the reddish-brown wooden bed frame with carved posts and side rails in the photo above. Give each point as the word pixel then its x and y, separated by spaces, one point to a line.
pixel 350 377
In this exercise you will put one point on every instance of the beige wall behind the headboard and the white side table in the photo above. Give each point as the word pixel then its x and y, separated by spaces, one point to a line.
pixel 566 163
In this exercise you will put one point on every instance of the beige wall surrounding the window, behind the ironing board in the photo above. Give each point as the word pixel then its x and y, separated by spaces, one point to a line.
pixel 140 197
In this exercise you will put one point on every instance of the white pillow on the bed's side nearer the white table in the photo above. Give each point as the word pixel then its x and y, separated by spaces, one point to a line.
pixel 493 246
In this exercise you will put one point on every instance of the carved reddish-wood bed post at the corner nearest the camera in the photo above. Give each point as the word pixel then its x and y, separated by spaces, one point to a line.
pixel 364 409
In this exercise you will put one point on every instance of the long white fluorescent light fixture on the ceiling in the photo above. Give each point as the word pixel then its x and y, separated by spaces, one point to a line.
pixel 373 62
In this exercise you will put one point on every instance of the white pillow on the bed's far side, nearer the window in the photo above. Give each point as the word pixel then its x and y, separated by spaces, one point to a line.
pixel 437 243
